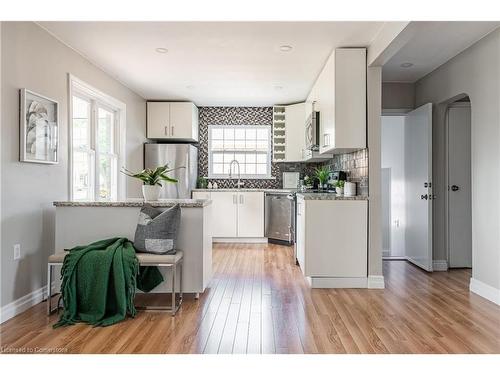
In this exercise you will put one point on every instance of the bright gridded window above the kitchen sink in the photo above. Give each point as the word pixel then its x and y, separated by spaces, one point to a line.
pixel 249 145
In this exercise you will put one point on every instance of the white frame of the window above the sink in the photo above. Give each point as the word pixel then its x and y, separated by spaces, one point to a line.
pixel 268 176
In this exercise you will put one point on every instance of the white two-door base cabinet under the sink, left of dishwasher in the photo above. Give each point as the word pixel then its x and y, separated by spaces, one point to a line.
pixel 235 214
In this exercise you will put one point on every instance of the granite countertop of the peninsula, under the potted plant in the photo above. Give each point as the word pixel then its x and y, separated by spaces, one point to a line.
pixel 136 203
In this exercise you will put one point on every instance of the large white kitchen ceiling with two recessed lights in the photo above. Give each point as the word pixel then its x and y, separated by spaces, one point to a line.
pixel 214 63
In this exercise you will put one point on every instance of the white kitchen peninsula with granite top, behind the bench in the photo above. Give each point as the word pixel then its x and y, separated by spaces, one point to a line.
pixel 80 223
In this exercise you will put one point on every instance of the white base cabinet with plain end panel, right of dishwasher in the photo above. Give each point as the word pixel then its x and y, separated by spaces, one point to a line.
pixel 332 242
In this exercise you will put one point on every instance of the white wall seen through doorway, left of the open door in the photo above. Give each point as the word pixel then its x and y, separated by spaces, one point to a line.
pixel 393 158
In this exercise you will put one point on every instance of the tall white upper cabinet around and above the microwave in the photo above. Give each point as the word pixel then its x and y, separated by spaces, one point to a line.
pixel 339 94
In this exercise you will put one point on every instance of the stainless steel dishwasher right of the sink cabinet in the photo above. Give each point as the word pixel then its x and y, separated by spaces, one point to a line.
pixel 280 217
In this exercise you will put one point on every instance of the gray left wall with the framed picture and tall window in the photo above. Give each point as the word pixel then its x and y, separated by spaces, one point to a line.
pixel 33 59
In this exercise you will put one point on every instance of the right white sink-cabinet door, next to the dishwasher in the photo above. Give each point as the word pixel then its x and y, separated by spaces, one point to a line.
pixel 251 214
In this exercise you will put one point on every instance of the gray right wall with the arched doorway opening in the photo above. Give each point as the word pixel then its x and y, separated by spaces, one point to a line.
pixel 475 72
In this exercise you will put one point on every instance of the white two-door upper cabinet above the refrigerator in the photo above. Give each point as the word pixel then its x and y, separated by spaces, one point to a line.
pixel 172 120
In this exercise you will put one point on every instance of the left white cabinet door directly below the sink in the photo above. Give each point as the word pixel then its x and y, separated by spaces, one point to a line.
pixel 225 213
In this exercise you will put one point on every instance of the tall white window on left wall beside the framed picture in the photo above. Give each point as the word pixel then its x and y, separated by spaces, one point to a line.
pixel 95 144
